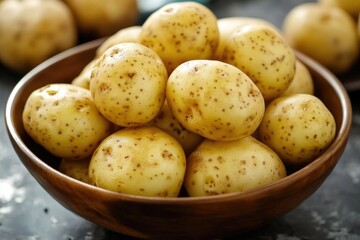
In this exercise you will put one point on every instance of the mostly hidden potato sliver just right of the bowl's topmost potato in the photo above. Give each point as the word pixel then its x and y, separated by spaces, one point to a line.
pixel 228 25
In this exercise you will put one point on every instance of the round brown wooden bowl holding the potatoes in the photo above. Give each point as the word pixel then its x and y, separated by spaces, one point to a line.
pixel 177 218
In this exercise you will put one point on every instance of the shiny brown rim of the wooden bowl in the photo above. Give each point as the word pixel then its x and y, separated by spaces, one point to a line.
pixel 341 137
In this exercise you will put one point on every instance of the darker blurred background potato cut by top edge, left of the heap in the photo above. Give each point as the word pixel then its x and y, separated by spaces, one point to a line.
pixel 96 18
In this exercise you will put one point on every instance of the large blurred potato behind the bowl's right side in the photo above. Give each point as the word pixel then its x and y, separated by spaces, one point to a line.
pixel 325 33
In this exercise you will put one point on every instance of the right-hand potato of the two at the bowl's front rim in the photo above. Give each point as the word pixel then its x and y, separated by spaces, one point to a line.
pixel 223 167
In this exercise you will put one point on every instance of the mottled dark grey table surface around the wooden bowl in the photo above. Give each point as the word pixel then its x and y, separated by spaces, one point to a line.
pixel 332 212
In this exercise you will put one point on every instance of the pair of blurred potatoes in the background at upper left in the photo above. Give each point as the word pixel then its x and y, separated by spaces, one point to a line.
pixel 33 30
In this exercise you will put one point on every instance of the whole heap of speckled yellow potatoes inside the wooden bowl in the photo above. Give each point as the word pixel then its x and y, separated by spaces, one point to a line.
pixel 185 101
